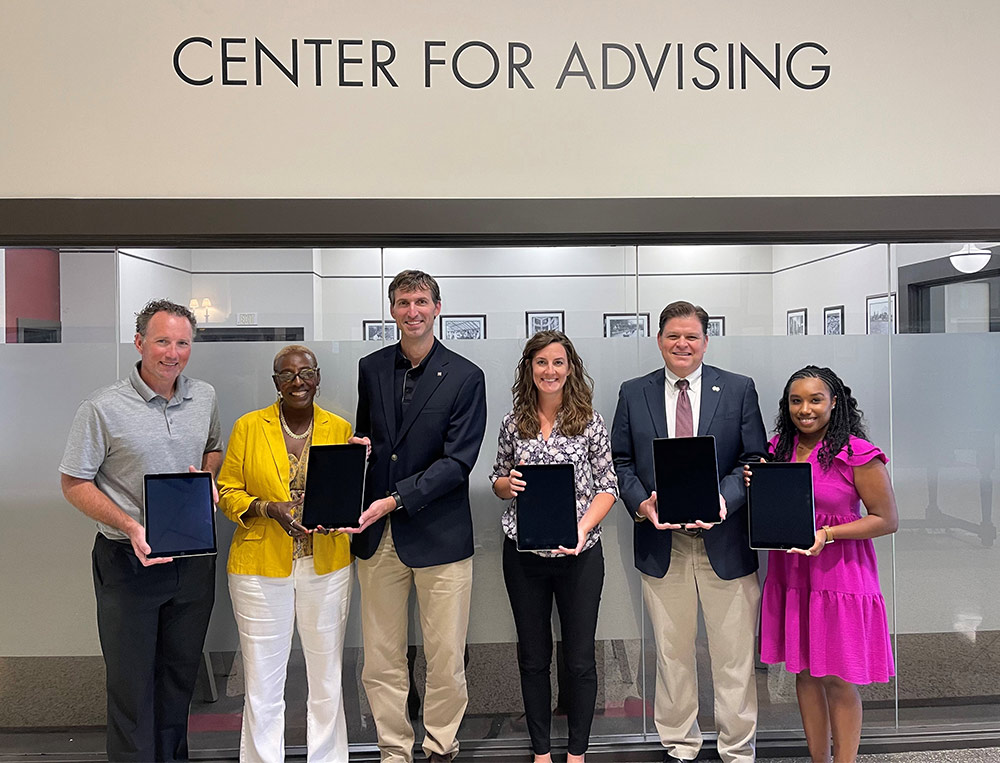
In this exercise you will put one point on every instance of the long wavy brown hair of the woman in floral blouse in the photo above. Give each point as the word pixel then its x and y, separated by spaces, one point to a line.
pixel 577 407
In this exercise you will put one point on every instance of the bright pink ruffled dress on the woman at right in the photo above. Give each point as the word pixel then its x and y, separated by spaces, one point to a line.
pixel 826 614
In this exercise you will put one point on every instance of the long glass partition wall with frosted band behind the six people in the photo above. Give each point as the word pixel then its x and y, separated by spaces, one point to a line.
pixel 856 308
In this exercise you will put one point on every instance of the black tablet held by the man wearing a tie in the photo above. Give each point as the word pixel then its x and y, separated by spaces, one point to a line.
pixel 687 480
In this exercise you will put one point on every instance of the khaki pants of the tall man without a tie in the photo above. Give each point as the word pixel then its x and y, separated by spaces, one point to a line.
pixel 444 593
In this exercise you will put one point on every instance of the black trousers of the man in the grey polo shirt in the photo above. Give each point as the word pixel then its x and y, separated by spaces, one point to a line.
pixel 152 623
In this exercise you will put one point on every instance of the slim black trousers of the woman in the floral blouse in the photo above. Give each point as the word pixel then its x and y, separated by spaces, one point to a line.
pixel 575 582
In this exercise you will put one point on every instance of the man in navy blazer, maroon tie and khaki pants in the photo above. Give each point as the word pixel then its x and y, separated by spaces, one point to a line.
pixel 707 563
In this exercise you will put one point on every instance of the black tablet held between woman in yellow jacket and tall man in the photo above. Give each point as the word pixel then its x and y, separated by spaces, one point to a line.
pixel 335 486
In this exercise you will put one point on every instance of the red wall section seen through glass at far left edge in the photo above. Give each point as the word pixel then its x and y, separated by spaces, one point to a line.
pixel 32 286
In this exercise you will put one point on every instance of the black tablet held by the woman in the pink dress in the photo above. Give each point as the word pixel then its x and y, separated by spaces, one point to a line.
pixel 780 506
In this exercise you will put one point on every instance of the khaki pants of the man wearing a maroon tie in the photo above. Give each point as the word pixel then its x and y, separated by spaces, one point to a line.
pixel 730 610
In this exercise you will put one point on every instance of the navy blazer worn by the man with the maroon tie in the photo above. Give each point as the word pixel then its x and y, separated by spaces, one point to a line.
pixel 729 411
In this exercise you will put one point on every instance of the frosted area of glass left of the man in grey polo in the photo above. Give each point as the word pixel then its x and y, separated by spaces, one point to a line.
pixel 46 542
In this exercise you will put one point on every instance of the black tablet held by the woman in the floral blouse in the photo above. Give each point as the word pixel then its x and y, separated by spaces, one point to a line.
pixel 546 508
